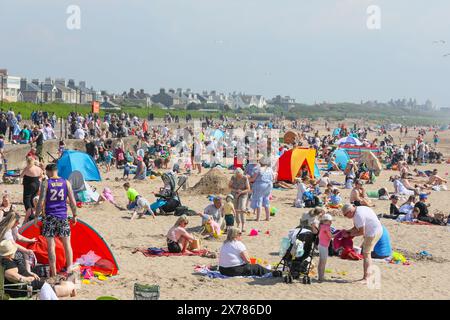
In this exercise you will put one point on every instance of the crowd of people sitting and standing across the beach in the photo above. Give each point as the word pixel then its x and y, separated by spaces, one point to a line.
pixel 184 150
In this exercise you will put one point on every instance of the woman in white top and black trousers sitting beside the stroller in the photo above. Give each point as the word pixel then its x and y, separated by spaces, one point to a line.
pixel 234 260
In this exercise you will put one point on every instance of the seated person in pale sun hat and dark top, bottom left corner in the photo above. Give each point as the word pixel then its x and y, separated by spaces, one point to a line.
pixel 15 273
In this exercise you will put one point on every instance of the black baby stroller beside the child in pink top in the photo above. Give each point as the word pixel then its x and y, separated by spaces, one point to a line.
pixel 294 267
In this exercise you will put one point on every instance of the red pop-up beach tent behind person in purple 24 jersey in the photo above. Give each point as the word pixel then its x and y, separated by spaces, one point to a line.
pixel 83 239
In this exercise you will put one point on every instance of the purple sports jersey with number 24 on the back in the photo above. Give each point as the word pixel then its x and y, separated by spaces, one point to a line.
pixel 55 200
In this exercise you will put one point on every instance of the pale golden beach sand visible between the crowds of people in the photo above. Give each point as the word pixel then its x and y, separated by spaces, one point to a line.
pixel 423 279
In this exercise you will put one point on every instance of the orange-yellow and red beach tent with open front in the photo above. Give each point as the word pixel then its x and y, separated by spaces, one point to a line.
pixel 291 161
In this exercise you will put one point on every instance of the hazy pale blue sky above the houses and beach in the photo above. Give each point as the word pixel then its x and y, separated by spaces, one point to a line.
pixel 313 50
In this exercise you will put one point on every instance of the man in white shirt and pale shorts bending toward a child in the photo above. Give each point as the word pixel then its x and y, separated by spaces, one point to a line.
pixel 366 224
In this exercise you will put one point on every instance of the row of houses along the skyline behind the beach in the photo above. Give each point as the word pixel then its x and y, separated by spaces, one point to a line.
pixel 15 89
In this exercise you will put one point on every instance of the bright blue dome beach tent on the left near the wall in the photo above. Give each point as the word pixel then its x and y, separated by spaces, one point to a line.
pixel 72 160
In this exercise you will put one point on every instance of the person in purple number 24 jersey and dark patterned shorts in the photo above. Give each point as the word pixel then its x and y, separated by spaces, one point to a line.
pixel 54 193
